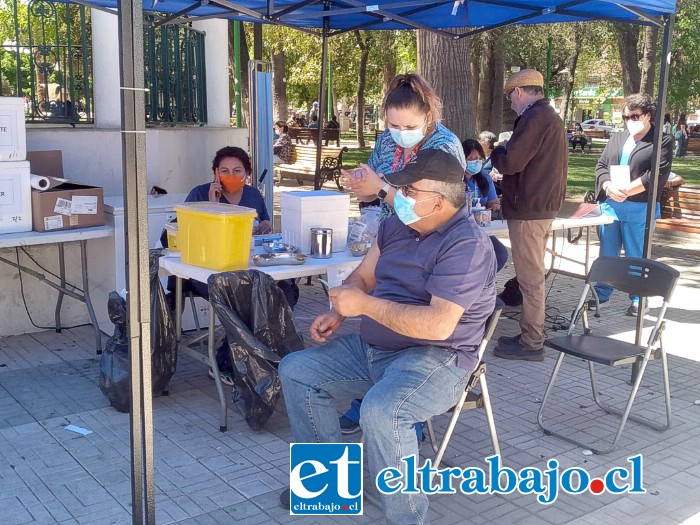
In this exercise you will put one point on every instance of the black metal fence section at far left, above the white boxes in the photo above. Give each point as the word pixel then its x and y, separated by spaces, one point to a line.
pixel 48 62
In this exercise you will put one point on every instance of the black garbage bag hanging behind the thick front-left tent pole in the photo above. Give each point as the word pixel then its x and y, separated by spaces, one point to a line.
pixel 114 365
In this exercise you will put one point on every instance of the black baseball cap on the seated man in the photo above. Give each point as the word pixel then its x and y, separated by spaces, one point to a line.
pixel 433 164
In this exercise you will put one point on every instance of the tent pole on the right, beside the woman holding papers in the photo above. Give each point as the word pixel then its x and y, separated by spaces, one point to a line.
pixel 655 159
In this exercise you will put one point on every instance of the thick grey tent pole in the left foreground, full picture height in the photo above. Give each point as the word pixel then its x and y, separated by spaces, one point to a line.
pixel 133 136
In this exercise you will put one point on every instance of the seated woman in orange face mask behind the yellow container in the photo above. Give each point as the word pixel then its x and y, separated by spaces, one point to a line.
pixel 231 167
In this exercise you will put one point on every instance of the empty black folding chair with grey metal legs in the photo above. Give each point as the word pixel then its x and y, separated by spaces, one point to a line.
pixel 637 276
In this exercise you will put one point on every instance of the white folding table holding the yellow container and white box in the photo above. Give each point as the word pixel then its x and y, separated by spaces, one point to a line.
pixel 334 269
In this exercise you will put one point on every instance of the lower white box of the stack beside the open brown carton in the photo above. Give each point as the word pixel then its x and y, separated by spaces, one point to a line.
pixel 15 197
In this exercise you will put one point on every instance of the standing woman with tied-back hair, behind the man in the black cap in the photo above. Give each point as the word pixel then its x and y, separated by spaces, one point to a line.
pixel 412 113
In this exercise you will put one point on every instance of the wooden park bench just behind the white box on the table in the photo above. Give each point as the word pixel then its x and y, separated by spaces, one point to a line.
pixel 303 165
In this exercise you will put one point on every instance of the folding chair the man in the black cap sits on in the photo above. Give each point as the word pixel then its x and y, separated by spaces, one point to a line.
pixel 469 399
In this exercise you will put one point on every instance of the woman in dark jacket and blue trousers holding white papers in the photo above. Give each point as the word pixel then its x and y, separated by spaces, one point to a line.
pixel 623 177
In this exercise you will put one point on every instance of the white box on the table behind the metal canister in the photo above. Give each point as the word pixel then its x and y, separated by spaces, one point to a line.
pixel 303 210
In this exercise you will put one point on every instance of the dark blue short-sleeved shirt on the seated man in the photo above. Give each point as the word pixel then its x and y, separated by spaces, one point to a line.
pixel 456 262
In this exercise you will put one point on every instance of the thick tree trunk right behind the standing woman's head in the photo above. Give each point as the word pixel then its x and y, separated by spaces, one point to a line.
pixel 445 64
